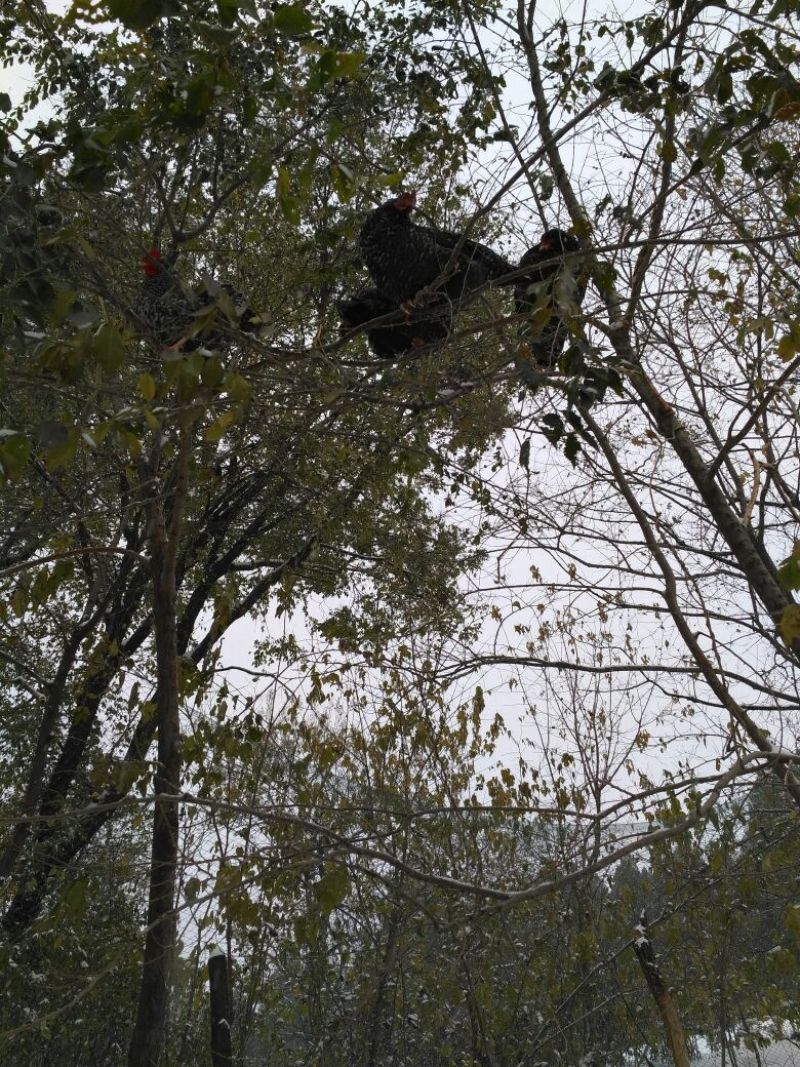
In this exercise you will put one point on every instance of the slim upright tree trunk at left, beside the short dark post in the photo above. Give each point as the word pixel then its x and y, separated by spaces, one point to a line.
pixel 150 1030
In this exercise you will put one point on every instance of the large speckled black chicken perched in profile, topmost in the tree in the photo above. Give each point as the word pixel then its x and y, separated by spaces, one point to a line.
pixel 404 259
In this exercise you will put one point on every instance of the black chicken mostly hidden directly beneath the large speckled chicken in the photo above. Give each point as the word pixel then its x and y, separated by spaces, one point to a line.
pixel 389 340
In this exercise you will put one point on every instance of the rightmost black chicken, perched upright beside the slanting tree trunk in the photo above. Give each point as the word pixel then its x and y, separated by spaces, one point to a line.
pixel 548 290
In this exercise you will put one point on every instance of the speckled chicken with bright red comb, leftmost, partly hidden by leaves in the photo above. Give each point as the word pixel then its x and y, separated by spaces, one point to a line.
pixel 187 320
